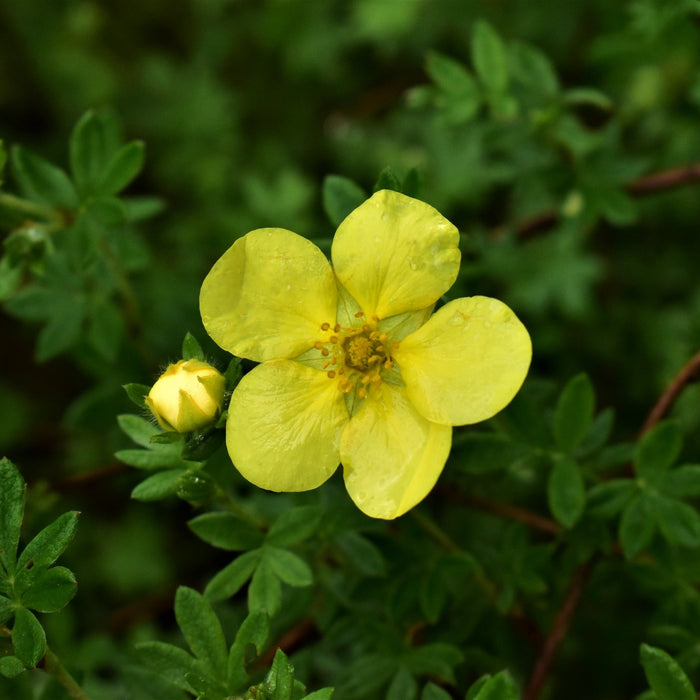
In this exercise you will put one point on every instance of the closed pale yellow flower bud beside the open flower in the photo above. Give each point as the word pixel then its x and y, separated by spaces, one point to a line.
pixel 188 396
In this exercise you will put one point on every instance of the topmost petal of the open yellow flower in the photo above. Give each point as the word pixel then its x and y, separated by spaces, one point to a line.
pixel 395 254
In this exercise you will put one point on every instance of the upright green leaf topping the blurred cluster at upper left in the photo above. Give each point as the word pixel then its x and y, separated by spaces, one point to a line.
pixel 91 146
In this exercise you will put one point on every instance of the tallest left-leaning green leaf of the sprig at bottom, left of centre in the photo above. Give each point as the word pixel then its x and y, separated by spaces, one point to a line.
pixel 202 630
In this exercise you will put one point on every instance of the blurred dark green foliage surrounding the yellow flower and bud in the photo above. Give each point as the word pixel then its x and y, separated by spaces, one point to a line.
pixel 142 138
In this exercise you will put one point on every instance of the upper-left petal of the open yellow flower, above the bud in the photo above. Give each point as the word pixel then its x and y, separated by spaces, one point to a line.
pixel 267 295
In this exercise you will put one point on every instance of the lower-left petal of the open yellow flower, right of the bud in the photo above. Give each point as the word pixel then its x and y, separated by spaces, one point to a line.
pixel 284 426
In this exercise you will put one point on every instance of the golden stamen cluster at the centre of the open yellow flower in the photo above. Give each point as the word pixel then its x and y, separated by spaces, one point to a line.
pixel 357 355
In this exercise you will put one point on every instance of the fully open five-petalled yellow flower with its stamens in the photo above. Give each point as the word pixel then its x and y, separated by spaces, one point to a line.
pixel 354 369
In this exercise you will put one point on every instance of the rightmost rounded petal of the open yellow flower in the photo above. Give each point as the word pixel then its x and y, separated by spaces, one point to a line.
pixel 467 362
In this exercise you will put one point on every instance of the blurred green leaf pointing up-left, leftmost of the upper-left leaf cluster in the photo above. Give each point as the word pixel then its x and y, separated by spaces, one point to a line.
pixel 42 181
